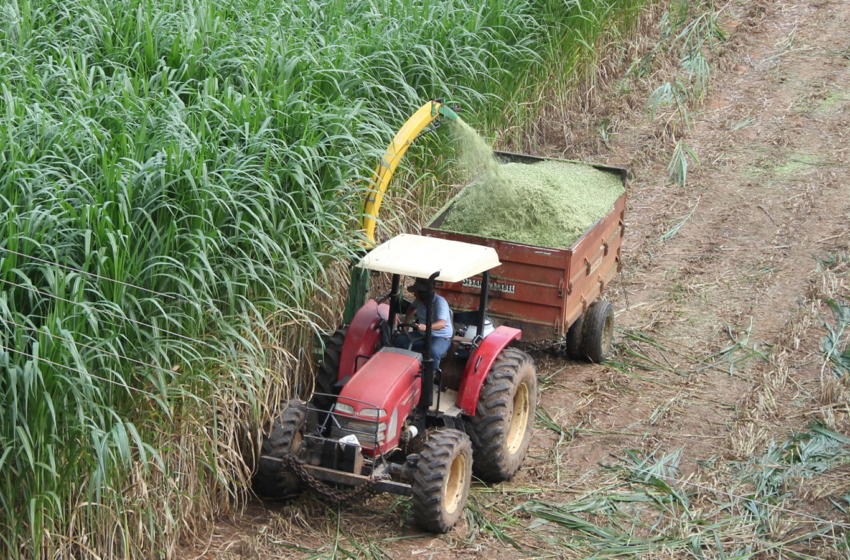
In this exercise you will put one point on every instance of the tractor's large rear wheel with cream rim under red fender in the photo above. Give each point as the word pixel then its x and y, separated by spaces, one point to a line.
pixel 504 416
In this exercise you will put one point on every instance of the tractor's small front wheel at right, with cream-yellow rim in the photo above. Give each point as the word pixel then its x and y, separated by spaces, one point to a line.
pixel 441 481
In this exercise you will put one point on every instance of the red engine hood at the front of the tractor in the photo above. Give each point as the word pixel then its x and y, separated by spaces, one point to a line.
pixel 386 382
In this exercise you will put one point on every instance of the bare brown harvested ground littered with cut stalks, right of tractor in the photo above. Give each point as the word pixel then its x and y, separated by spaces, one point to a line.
pixel 666 451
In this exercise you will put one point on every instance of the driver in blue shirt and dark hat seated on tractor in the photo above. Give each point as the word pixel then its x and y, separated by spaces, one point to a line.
pixel 441 326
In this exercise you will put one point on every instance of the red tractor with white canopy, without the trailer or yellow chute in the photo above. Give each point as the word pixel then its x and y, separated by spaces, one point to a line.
pixel 387 420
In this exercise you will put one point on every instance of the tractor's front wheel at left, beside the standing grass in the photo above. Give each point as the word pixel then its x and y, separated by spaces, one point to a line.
pixel 272 480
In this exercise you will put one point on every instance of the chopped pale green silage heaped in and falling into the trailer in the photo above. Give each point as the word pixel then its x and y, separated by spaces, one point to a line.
pixel 549 203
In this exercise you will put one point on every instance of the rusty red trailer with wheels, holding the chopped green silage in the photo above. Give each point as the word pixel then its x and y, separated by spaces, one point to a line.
pixel 542 290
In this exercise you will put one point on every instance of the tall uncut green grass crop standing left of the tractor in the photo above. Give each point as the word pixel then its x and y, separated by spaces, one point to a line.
pixel 178 181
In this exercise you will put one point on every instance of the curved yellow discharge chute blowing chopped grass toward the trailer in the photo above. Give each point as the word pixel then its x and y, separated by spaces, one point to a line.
pixel 403 139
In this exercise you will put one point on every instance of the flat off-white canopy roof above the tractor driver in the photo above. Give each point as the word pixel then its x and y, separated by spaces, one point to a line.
pixel 420 257
